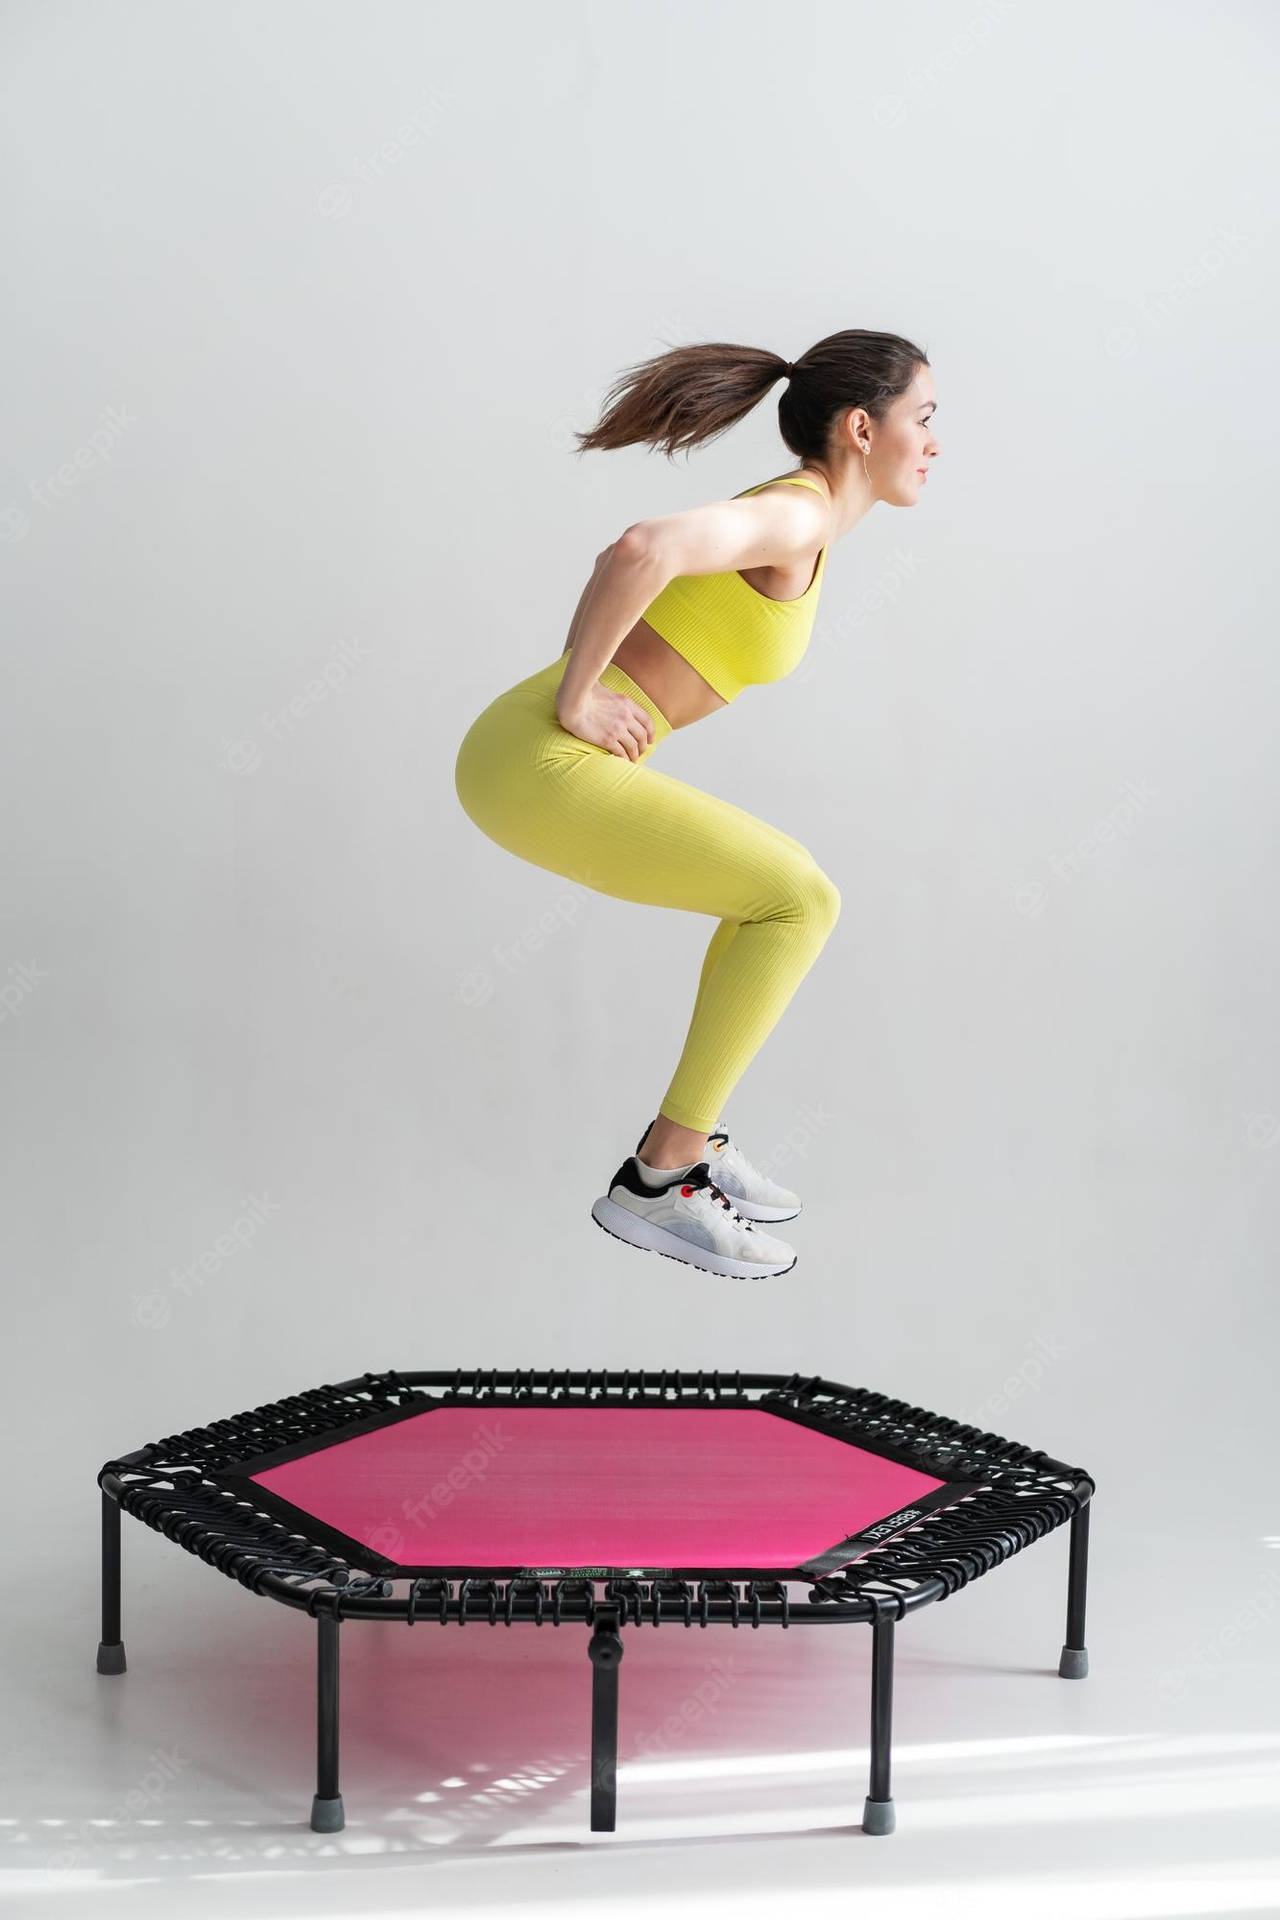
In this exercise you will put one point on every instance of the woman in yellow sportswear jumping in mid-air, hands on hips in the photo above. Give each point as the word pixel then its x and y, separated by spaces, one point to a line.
pixel 678 617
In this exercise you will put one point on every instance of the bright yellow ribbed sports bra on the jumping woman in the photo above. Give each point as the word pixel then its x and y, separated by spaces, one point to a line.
pixel 732 635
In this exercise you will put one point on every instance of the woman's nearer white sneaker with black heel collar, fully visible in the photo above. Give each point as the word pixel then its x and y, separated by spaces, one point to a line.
pixel 690 1218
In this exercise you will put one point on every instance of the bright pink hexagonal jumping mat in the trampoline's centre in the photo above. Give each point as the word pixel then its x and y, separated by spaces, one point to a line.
pixel 598 1487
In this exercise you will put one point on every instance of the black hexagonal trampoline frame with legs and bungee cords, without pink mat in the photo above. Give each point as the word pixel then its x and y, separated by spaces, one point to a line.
pixel 195 1487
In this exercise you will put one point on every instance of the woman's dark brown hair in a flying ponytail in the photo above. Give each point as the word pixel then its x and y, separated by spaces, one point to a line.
pixel 692 395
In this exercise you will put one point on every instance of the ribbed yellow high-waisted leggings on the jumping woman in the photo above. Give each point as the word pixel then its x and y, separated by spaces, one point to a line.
pixel 625 828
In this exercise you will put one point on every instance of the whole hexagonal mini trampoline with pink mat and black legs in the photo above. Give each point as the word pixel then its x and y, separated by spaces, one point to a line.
pixel 604 1499
